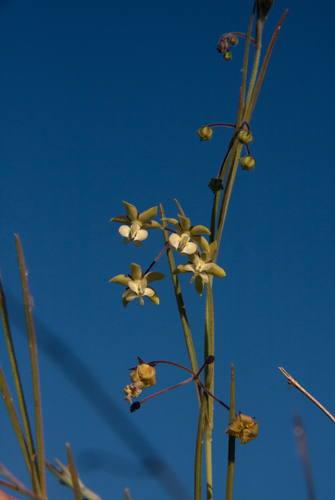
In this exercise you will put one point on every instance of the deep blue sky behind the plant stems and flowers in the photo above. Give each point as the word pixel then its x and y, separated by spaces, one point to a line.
pixel 99 103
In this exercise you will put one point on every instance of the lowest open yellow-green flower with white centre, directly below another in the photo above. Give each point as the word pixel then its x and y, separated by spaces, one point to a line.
pixel 137 285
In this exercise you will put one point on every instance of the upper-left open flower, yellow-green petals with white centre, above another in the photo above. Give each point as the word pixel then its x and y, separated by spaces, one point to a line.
pixel 135 230
